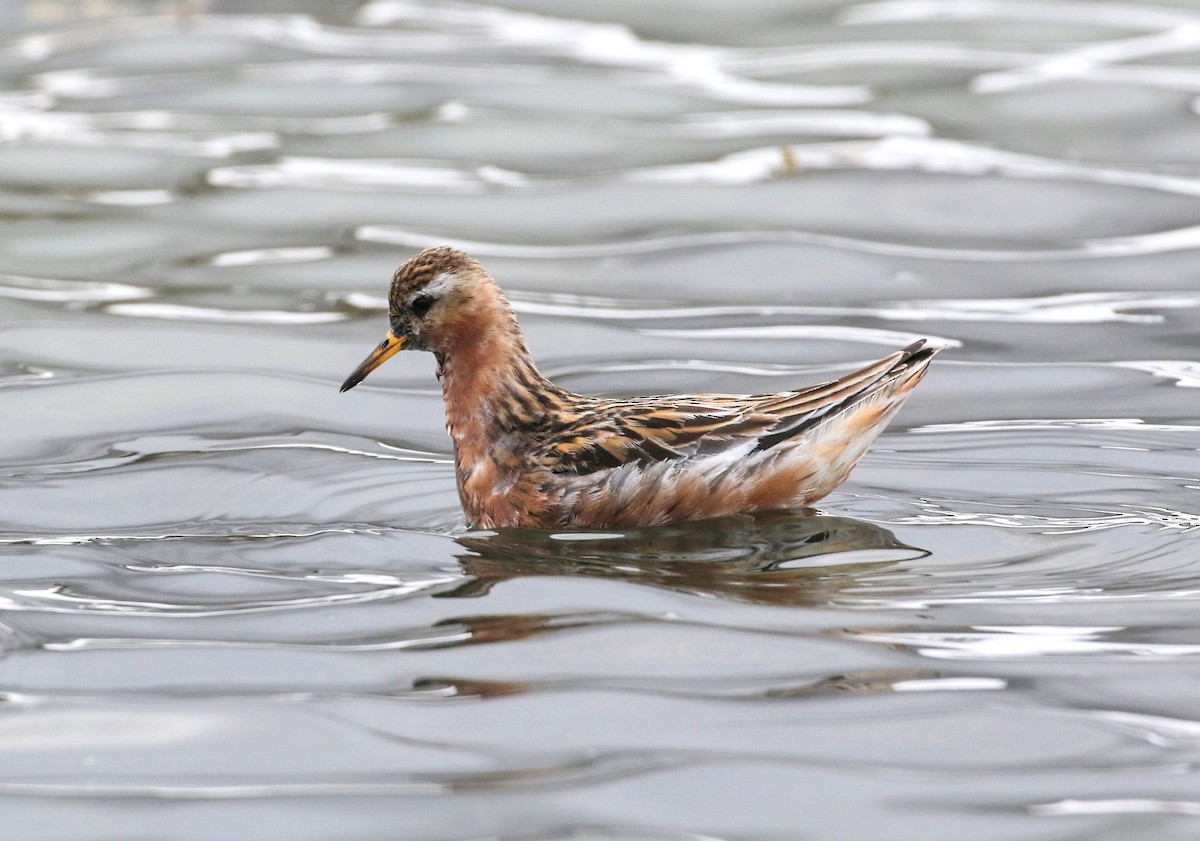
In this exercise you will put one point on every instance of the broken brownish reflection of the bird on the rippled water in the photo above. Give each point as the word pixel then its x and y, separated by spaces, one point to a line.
pixel 788 560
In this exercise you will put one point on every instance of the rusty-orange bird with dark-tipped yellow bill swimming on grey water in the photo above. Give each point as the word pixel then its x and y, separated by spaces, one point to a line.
pixel 532 454
